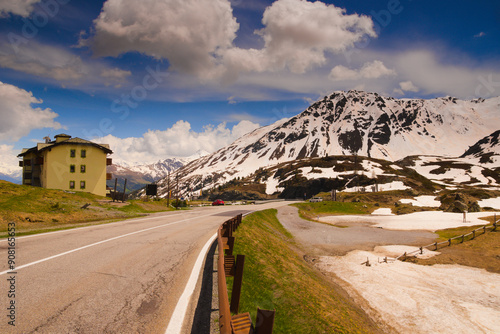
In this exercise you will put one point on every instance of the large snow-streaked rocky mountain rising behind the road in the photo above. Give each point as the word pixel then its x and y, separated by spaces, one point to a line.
pixel 353 122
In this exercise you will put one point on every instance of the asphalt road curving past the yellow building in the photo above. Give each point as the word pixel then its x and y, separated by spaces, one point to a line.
pixel 123 277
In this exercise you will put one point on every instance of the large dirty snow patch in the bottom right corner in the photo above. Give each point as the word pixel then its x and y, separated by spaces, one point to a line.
pixel 422 299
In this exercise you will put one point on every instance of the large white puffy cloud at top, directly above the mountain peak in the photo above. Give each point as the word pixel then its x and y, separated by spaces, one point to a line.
pixel 297 36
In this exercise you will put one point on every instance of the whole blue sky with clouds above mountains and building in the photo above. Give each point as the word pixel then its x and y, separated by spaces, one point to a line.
pixel 170 78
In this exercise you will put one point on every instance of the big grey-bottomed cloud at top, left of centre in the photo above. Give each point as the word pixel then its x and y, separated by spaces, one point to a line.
pixel 186 32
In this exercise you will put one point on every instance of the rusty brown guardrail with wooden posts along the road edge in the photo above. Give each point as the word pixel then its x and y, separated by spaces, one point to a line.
pixel 229 266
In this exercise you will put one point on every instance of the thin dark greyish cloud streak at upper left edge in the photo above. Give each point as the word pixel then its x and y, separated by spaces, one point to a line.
pixel 57 63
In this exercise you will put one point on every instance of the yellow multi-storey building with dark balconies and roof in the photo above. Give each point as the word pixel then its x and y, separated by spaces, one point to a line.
pixel 66 163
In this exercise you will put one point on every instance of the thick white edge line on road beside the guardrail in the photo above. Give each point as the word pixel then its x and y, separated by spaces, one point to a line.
pixel 177 318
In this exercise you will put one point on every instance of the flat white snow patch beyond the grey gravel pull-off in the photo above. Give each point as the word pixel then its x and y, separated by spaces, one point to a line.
pixel 426 220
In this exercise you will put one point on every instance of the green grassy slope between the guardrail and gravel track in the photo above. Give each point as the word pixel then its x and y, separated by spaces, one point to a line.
pixel 276 277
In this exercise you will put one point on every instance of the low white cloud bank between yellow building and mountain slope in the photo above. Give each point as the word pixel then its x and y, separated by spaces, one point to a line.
pixel 178 141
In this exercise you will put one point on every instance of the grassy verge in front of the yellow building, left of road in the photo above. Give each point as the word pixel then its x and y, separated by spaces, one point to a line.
pixel 35 209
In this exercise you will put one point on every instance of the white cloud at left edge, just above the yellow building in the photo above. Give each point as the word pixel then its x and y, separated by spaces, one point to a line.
pixel 19 117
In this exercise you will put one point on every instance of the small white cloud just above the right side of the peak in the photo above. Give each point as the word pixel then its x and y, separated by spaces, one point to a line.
pixel 370 70
